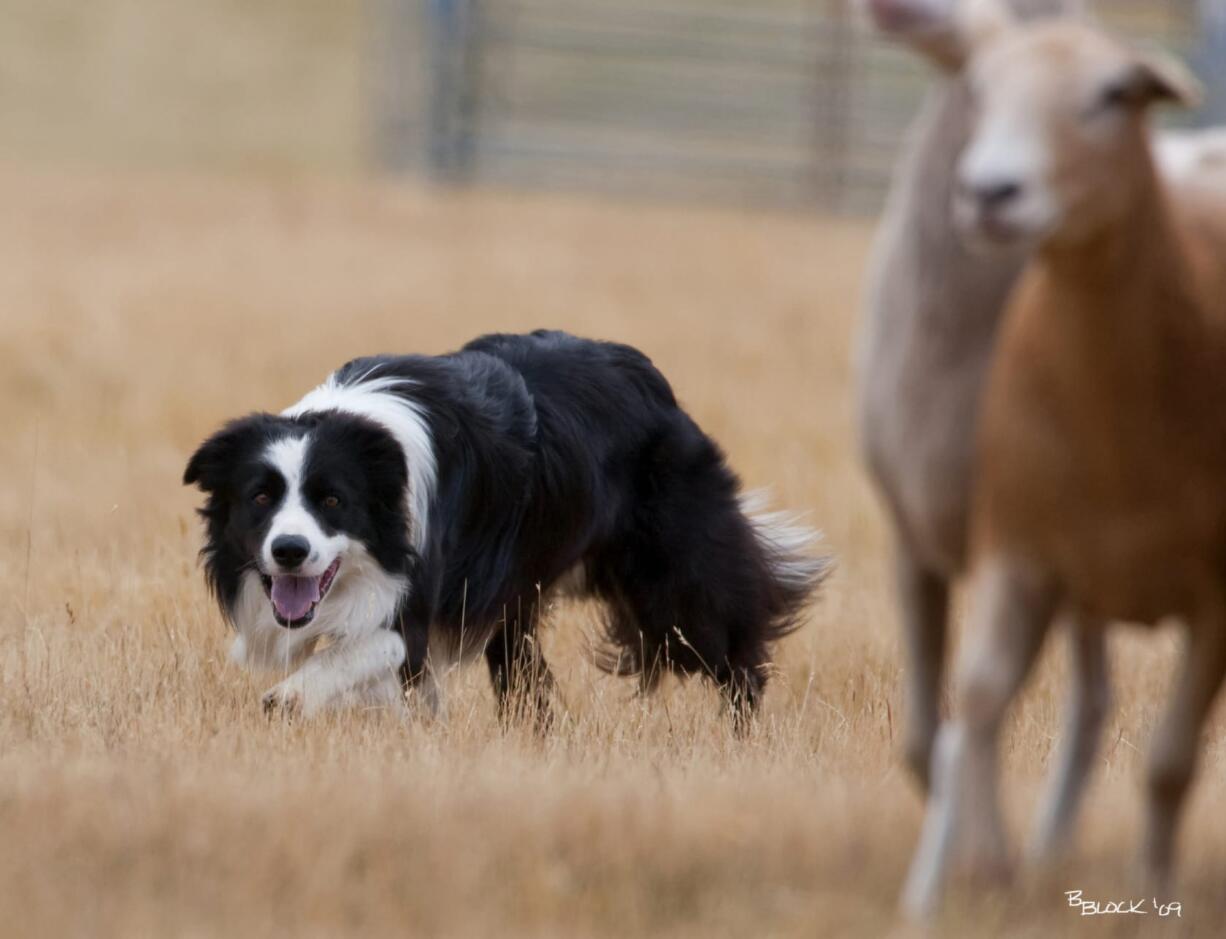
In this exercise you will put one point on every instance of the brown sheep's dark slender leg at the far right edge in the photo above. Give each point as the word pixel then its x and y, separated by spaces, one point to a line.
pixel 1176 743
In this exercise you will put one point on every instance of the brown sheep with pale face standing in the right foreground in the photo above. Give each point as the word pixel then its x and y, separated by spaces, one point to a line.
pixel 1103 443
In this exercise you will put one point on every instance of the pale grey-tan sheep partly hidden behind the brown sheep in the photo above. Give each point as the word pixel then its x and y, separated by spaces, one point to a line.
pixel 926 341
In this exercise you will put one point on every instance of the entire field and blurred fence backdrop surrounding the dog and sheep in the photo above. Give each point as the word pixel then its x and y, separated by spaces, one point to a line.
pixel 209 205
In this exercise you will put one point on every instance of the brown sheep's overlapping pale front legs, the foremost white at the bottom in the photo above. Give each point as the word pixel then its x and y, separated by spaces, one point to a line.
pixel 1011 614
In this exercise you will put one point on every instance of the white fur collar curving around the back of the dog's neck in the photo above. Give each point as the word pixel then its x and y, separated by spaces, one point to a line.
pixel 378 400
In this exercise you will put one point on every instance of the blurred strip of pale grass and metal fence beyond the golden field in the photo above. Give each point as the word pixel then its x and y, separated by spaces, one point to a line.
pixel 783 102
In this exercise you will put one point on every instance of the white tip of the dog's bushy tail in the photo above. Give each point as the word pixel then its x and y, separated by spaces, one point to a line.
pixel 795 566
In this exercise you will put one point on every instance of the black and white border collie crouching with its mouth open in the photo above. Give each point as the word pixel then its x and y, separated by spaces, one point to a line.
pixel 415 509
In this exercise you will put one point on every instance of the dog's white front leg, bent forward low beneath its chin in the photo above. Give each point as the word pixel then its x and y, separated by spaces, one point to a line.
pixel 348 670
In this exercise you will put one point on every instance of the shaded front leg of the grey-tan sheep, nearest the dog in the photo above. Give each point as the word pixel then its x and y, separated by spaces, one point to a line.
pixel 925 606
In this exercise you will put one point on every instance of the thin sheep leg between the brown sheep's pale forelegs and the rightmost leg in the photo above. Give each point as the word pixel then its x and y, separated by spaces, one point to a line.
pixel 1089 702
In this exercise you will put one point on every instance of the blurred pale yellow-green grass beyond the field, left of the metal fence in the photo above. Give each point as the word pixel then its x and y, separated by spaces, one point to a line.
pixel 225 85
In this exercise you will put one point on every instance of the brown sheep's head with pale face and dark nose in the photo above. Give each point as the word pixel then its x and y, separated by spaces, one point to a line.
pixel 1060 132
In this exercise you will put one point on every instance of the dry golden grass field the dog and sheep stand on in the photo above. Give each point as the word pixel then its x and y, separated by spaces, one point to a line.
pixel 144 794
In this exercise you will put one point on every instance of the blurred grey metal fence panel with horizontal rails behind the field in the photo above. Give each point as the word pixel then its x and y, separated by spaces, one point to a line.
pixel 790 102
